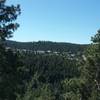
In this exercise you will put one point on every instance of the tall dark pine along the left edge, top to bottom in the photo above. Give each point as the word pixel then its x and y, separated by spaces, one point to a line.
pixel 8 60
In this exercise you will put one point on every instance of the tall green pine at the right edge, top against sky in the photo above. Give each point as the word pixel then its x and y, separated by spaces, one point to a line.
pixel 92 69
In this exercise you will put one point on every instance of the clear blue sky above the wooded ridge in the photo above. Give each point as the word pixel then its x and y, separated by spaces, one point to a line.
pixel 72 21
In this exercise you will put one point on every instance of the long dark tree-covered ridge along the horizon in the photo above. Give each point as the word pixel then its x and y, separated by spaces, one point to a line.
pixel 47 45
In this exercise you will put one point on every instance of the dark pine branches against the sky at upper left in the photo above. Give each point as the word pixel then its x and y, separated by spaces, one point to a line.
pixel 8 14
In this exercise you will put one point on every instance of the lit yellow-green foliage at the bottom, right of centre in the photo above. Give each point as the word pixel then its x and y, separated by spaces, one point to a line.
pixel 72 89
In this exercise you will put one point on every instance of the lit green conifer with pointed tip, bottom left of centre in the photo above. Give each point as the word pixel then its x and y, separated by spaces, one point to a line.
pixel 37 91
